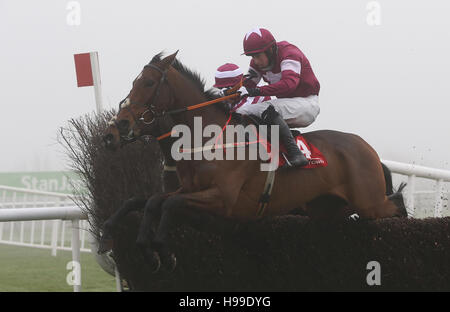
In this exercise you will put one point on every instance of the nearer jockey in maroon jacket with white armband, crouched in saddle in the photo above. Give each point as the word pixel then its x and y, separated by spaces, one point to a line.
pixel 290 78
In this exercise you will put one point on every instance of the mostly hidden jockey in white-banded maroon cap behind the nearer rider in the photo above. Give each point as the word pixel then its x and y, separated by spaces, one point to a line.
pixel 229 75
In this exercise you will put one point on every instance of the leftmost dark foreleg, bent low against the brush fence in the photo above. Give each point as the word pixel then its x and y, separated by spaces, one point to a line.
pixel 110 225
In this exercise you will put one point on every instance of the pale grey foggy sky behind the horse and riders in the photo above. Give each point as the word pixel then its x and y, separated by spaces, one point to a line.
pixel 387 83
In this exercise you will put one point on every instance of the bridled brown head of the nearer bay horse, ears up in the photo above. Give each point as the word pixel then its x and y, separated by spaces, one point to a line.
pixel 141 111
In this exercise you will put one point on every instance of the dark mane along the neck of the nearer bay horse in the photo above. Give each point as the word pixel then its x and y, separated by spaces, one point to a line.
pixel 195 78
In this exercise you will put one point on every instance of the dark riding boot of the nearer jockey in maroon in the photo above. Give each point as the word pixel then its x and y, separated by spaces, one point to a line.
pixel 295 158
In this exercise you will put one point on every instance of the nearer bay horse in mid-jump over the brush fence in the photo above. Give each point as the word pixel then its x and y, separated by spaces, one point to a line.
pixel 159 99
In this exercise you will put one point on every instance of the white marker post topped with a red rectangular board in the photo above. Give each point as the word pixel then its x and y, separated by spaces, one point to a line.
pixel 88 74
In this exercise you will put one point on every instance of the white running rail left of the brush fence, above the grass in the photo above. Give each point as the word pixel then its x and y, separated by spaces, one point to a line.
pixel 26 215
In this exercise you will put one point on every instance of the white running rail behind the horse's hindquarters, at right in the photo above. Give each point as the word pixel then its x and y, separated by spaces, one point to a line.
pixel 413 171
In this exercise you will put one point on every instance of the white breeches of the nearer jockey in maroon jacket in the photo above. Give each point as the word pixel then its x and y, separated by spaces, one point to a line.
pixel 298 112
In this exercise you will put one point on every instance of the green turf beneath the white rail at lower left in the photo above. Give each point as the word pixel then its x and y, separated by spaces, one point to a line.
pixel 24 269
